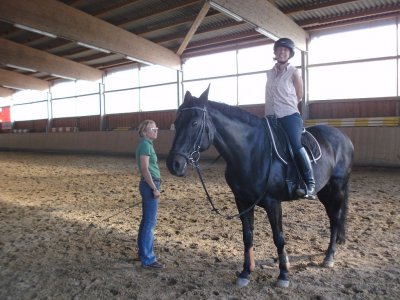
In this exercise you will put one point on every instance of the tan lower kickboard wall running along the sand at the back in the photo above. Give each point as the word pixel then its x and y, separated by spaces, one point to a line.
pixel 367 142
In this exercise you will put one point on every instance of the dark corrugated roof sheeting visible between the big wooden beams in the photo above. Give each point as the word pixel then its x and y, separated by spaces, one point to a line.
pixel 168 21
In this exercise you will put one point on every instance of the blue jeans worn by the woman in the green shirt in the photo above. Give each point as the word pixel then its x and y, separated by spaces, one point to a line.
pixel 148 223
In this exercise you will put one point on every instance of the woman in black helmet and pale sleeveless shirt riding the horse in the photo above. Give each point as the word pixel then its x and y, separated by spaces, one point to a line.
pixel 284 90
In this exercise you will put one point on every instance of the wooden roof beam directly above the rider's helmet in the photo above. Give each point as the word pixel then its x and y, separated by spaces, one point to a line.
pixel 268 18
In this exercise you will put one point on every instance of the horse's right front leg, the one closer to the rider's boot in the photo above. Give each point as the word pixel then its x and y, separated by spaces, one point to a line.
pixel 274 211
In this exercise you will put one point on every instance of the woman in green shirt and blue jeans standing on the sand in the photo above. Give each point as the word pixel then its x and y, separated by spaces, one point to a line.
pixel 149 188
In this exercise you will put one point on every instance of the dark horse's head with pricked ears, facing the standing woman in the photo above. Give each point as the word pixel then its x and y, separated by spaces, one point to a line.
pixel 194 133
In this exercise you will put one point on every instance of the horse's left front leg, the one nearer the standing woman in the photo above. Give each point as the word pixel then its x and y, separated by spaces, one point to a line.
pixel 249 262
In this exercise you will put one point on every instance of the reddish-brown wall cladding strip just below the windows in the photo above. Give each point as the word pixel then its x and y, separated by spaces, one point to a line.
pixel 164 119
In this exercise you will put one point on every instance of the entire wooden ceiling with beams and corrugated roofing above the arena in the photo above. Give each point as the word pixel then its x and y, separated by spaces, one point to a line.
pixel 44 40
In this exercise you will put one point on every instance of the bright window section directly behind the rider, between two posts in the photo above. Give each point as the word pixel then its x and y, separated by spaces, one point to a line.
pixel 228 85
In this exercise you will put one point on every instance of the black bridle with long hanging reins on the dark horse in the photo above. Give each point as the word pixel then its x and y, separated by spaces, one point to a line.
pixel 194 156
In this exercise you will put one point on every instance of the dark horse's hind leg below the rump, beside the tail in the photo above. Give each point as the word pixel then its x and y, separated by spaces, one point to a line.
pixel 334 196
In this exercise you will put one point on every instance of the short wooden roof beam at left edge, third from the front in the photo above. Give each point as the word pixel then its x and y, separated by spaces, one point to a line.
pixel 17 81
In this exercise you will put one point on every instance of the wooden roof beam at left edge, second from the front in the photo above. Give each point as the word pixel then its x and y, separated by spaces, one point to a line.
pixel 15 54
